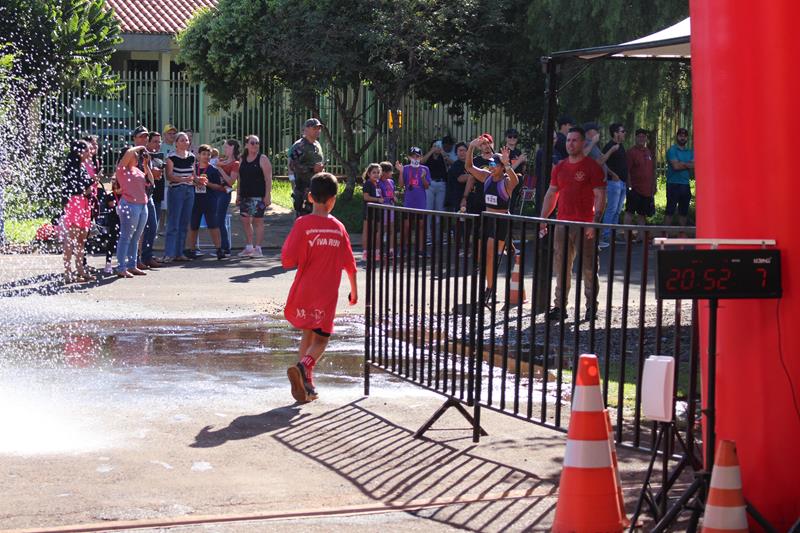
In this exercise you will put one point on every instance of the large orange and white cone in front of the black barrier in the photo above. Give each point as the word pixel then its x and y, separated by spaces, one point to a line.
pixel 587 493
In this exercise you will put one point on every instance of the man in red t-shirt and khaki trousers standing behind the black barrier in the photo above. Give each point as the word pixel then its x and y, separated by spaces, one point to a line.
pixel 578 187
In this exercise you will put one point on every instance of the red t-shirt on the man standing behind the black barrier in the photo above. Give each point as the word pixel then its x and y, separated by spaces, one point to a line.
pixel 576 183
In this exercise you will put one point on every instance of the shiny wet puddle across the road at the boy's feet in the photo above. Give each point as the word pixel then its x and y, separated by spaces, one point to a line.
pixel 82 387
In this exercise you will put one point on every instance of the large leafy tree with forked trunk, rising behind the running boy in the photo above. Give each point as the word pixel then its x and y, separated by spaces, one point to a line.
pixel 336 47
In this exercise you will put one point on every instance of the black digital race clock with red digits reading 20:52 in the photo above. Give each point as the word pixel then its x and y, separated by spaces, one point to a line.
pixel 706 274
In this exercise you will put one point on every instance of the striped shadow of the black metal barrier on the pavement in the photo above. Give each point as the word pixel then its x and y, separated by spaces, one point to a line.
pixel 386 463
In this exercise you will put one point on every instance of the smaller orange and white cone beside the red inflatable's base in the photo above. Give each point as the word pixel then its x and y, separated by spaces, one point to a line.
pixel 726 510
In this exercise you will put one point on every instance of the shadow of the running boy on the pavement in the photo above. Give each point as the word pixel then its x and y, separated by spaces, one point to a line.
pixel 248 426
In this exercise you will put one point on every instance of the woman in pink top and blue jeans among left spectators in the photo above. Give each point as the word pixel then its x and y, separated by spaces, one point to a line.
pixel 132 211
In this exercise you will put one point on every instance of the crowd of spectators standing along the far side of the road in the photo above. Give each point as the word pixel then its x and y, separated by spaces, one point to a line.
pixel 164 184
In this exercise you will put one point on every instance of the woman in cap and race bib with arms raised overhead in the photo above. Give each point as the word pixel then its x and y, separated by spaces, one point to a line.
pixel 498 181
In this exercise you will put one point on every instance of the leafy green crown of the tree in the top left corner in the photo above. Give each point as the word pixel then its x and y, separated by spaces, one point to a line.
pixel 61 44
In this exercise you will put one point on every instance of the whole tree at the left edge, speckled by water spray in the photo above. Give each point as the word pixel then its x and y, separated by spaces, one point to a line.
pixel 47 46
